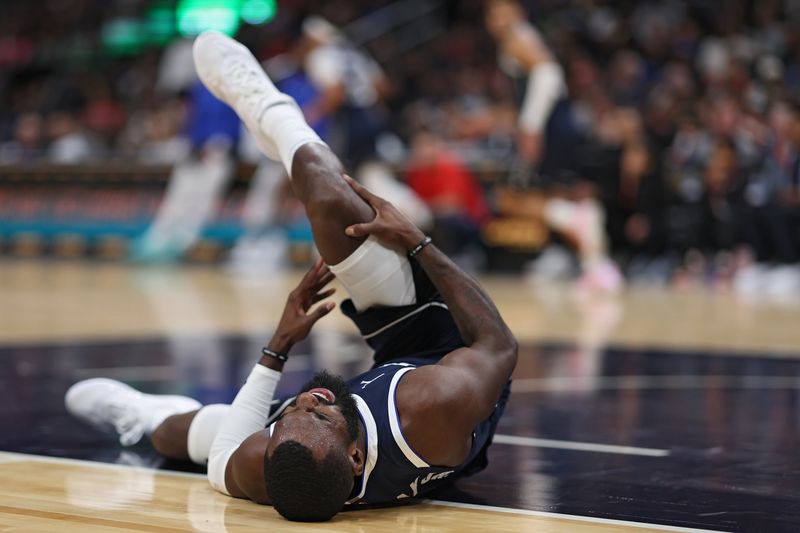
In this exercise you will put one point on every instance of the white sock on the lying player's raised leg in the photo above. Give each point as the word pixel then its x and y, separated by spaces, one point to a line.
pixel 283 122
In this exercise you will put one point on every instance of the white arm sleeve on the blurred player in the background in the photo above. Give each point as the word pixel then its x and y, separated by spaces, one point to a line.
pixel 545 87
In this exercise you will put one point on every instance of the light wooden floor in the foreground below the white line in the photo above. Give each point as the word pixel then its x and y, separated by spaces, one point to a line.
pixel 41 495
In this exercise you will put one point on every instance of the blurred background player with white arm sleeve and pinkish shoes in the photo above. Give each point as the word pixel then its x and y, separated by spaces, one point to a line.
pixel 546 141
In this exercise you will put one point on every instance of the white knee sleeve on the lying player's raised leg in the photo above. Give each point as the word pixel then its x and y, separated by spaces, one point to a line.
pixel 376 276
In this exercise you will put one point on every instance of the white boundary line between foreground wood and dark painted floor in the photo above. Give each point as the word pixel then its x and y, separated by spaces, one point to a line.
pixel 471 506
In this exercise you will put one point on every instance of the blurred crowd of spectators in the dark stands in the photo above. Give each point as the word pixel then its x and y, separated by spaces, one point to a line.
pixel 688 112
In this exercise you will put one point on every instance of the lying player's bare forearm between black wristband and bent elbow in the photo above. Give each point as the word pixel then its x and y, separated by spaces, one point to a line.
pixel 475 314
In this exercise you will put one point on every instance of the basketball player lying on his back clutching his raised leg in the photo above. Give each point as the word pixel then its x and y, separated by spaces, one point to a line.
pixel 426 412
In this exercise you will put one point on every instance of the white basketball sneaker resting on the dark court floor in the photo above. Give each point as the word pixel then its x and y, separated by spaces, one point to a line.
pixel 109 404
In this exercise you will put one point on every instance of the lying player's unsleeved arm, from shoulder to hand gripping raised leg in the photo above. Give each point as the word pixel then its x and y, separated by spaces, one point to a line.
pixel 451 397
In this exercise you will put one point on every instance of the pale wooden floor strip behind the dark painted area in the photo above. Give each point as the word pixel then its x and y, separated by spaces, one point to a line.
pixel 61 301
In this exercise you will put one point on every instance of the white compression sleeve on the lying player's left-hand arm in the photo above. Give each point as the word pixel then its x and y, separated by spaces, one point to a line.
pixel 248 414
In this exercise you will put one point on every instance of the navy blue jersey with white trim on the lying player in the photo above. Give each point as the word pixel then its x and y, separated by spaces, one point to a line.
pixel 393 470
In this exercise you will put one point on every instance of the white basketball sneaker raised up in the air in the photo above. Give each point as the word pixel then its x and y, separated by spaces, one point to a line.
pixel 228 69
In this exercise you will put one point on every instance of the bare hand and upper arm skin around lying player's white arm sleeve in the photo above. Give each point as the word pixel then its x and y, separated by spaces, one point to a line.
pixel 244 475
